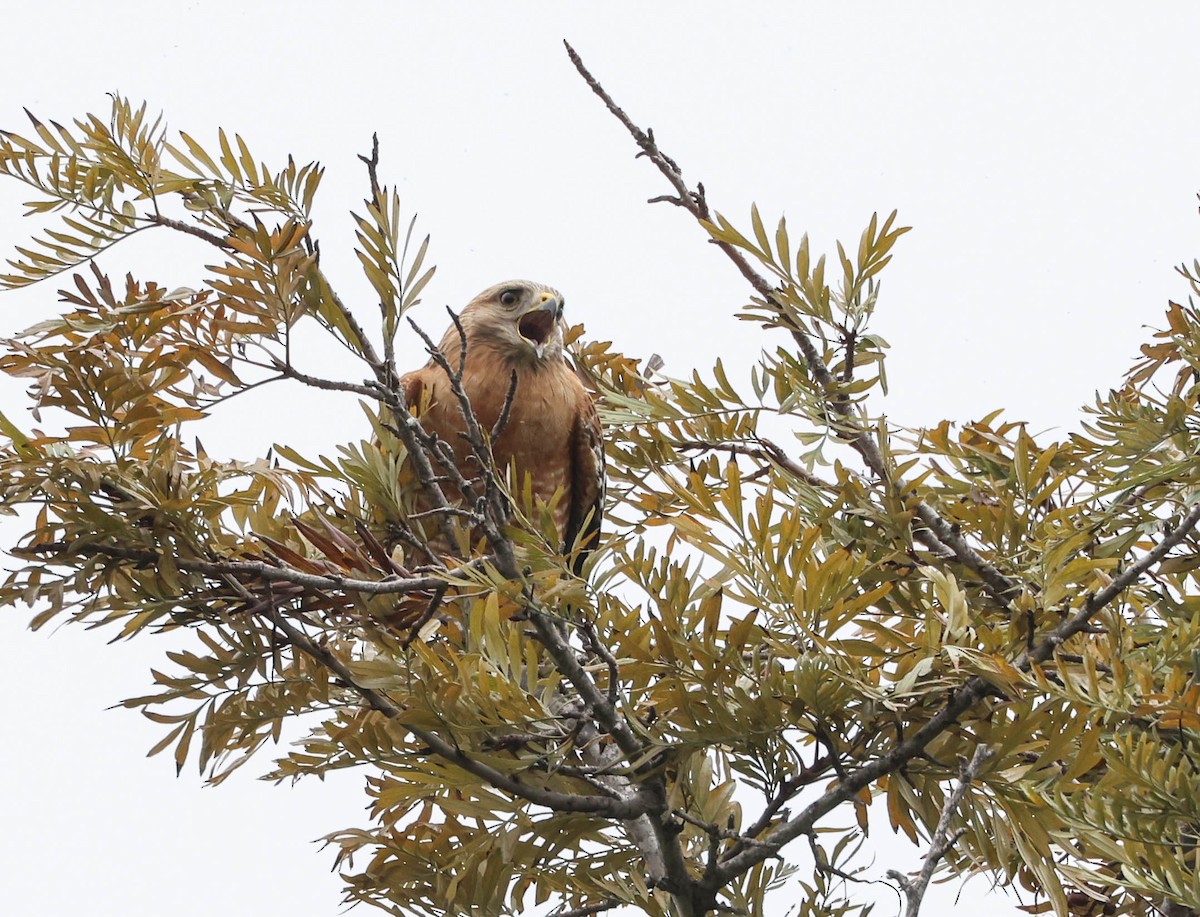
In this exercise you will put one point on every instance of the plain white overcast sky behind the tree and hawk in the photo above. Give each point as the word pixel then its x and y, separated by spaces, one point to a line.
pixel 1048 160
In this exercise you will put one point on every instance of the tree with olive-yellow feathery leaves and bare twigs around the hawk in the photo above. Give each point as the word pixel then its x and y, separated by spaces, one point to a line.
pixel 992 633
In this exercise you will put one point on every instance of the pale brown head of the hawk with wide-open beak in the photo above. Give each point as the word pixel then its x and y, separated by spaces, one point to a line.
pixel 520 320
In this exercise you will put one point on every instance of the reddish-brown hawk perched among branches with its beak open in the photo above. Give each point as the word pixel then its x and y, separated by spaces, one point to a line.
pixel 553 433
